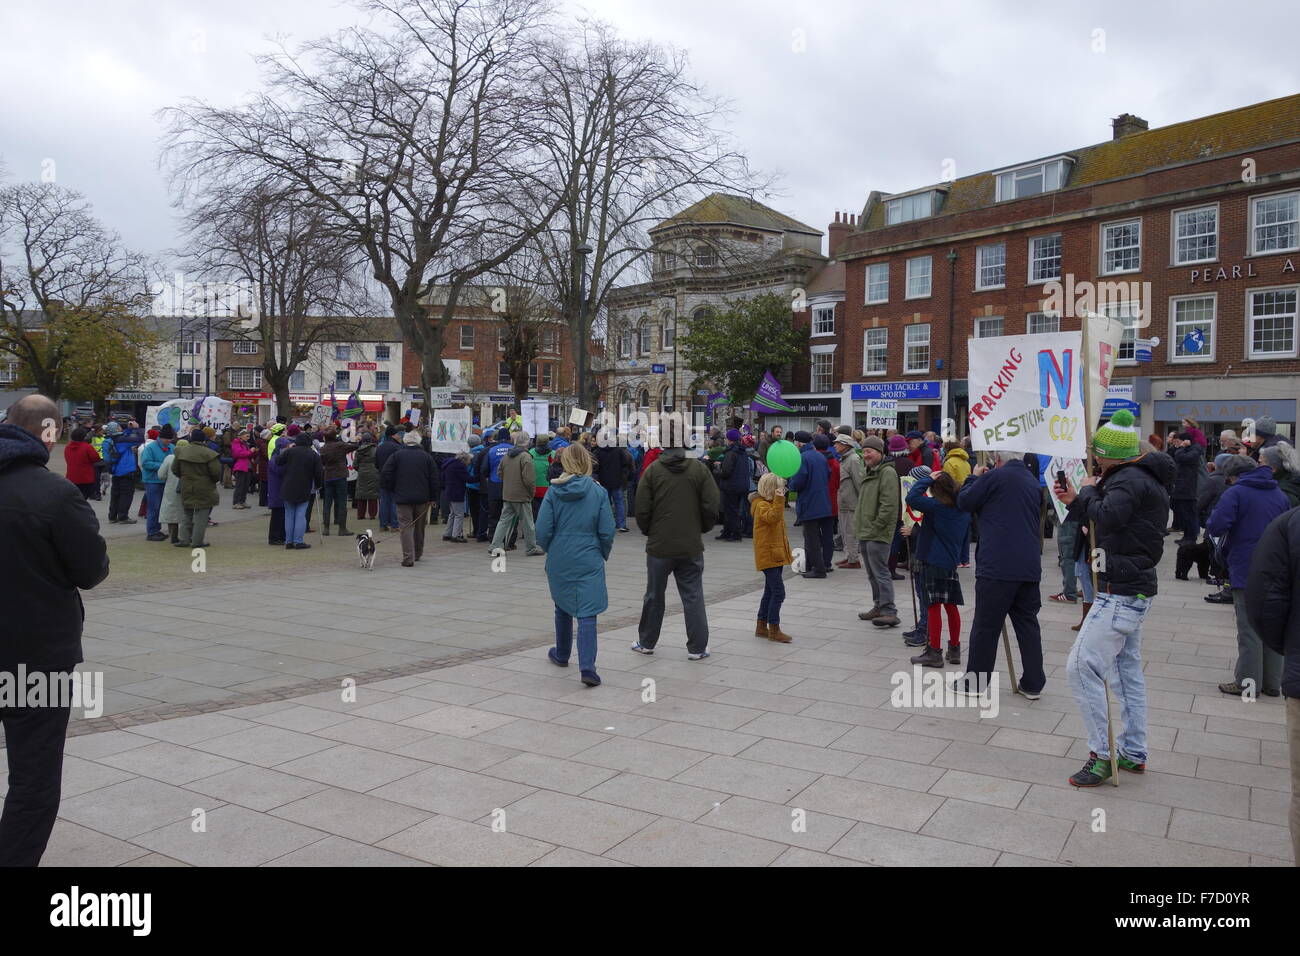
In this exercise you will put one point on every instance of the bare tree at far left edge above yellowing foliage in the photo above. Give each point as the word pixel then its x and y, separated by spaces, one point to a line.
pixel 68 292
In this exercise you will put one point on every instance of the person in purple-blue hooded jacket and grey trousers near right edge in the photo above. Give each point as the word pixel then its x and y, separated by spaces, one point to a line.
pixel 1251 501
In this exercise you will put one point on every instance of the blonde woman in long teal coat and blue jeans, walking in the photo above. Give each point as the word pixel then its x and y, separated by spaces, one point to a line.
pixel 575 529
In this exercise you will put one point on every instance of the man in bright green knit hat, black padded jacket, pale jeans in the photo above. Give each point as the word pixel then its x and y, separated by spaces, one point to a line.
pixel 1128 507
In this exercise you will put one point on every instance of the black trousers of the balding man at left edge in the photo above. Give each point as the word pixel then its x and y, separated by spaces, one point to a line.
pixel 36 749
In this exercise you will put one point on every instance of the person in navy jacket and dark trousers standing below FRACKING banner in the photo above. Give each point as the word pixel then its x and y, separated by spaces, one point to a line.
pixel 1008 570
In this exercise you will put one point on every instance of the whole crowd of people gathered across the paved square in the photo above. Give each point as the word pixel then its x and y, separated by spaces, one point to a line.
pixel 889 501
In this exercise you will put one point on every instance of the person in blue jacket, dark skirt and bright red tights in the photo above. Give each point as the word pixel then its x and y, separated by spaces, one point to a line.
pixel 939 550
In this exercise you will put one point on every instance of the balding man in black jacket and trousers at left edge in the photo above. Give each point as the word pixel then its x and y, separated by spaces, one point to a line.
pixel 50 547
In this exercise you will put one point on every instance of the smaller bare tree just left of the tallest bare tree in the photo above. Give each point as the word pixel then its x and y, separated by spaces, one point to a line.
pixel 296 279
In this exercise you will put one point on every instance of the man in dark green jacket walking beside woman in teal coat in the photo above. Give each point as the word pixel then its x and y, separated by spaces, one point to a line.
pixel 678 505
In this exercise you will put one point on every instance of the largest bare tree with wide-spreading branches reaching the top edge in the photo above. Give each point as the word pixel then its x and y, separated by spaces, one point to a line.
pixel 423 140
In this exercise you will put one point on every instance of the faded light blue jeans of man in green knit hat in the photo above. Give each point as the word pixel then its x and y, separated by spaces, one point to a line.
pixel 1110 647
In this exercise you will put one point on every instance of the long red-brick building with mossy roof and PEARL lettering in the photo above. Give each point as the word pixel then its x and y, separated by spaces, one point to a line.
pixel 1190 233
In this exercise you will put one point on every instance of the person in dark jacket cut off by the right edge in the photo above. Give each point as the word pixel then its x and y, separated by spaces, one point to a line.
pixel 1273 608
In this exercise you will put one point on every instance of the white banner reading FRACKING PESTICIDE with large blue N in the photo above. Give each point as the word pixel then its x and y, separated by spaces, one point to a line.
pixel 1026 395
